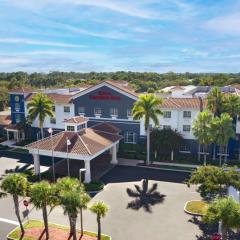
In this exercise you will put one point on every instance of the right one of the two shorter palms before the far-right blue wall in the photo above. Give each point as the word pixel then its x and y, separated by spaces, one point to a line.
pixel 222 130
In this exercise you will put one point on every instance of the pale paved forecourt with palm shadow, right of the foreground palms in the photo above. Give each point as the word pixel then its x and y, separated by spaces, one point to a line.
pixel 157 215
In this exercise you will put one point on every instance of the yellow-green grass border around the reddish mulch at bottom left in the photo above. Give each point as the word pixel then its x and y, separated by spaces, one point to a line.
pixel 14 235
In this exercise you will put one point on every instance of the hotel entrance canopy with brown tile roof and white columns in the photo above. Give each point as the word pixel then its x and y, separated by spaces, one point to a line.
pixel 86 144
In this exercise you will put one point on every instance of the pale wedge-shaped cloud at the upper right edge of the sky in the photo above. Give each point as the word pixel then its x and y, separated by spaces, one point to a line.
pixel 228 24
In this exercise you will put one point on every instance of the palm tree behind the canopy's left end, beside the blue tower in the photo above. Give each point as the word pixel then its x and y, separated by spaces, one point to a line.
pixel 40 107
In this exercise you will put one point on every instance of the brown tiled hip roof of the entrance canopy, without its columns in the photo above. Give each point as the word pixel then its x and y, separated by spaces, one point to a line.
pixel 86 142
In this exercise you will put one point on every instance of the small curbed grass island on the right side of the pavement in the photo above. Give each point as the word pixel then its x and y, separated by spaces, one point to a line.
pixel 196 207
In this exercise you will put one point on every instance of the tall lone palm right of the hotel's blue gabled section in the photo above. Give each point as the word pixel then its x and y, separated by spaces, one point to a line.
pixel 147 107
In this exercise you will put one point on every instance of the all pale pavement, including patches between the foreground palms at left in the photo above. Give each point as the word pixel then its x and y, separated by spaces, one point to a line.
pixel 165 221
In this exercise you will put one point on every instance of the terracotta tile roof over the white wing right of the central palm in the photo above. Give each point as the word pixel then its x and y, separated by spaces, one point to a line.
pixel 181 103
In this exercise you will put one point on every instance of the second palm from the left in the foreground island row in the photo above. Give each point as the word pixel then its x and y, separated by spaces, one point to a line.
pixel 41 196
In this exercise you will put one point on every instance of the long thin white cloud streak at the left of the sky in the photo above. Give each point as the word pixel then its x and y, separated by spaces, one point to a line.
pixel 26 41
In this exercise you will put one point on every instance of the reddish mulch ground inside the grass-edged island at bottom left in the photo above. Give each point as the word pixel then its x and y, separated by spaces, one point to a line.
pixel 37 233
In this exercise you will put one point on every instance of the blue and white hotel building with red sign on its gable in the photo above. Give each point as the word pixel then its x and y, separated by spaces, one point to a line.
pixel 112 102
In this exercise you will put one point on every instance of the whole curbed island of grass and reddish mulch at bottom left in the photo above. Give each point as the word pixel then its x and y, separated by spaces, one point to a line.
pixel 35 229
